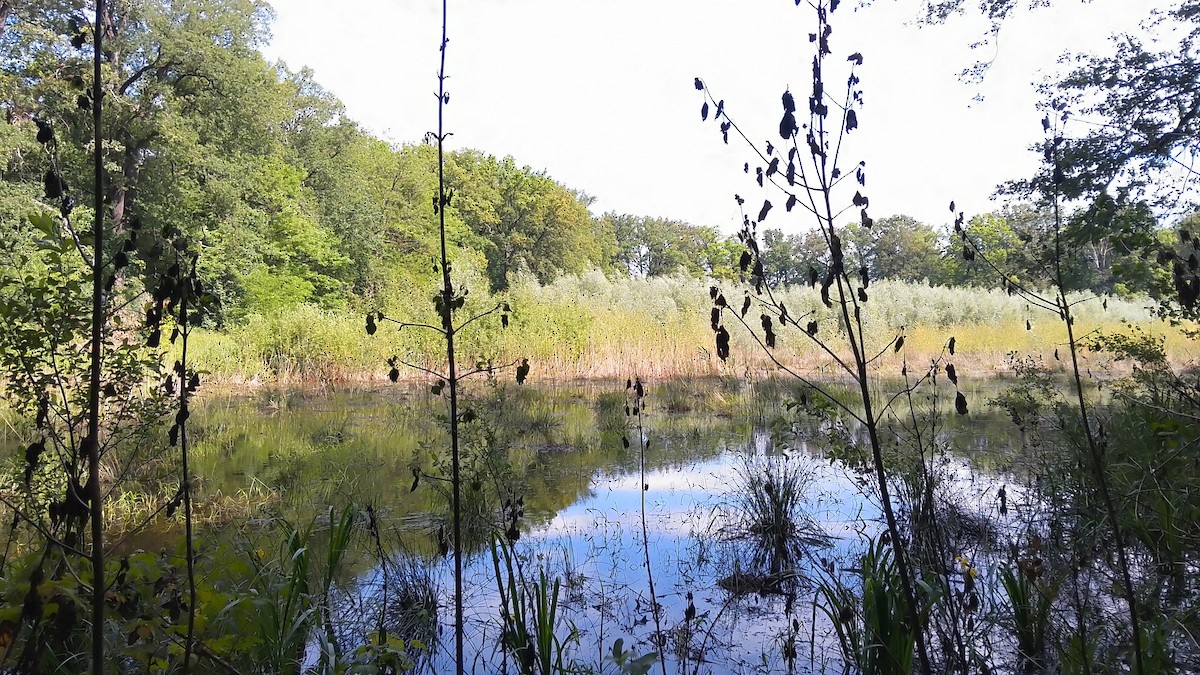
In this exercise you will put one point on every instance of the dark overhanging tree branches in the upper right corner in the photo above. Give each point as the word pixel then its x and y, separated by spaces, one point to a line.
pixel 1141 101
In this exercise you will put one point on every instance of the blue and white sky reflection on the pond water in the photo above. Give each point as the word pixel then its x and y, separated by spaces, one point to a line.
pixel 598 542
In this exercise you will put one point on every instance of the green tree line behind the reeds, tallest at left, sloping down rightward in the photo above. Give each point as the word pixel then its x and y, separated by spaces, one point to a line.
pixel 293 202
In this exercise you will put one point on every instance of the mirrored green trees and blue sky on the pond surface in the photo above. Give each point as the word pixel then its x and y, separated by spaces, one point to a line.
pixel 583 495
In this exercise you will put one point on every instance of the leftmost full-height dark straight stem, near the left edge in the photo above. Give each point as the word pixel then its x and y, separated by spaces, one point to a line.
pixel 94 493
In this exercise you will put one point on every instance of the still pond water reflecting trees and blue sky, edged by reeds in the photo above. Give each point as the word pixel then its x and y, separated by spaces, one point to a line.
pixel 604 521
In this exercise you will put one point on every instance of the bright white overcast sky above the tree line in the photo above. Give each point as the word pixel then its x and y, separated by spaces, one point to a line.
pixel 601 94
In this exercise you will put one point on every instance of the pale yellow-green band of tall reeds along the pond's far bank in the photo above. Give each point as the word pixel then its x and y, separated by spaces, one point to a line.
pixel 593 327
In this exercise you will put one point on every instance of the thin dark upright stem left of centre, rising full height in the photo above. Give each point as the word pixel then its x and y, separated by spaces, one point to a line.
pixel 449 331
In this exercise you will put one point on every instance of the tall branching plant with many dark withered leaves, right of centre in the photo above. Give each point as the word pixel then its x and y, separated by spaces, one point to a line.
pixel 809 170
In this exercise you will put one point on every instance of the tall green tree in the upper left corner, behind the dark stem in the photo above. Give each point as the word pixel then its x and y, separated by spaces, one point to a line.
pixel 189 104
